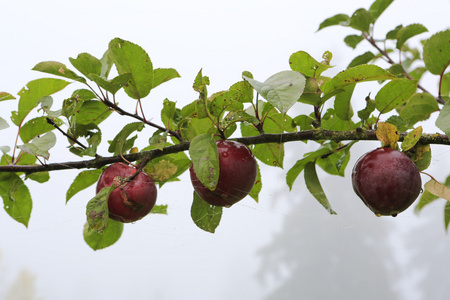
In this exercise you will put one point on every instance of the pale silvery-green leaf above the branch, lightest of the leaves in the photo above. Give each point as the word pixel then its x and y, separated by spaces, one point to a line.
pixel 282 90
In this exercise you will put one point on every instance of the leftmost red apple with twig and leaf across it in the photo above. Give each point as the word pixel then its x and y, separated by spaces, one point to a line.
pixel 130 201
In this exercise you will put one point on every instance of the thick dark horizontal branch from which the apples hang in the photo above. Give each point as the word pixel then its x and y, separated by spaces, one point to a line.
pixel 315 135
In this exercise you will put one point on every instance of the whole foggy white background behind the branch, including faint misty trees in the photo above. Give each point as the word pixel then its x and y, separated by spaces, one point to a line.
pixel 285 247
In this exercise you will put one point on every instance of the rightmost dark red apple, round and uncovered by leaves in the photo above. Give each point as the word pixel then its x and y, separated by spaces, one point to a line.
pixel 386 180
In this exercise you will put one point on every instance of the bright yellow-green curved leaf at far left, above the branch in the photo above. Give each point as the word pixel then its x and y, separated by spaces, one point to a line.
pixel 33 92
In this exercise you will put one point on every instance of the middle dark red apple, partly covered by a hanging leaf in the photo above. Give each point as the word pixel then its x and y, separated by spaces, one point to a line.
pixel 237 175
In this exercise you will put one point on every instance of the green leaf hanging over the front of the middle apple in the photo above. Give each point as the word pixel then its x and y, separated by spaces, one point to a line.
pixel 205 159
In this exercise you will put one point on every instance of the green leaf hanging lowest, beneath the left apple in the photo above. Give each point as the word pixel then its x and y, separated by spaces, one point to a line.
pixel 99 241
